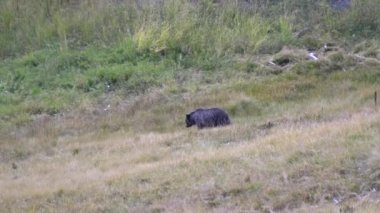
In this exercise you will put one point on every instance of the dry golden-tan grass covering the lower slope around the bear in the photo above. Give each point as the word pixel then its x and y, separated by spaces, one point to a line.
pixel 321 153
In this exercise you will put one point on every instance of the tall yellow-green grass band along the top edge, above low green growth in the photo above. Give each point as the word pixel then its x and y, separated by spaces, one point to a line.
pixel 183 26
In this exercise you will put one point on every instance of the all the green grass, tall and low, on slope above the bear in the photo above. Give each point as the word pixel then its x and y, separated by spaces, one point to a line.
pixel 79 49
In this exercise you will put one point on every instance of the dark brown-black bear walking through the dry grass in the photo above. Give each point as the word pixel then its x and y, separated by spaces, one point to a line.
pixel 207 118
